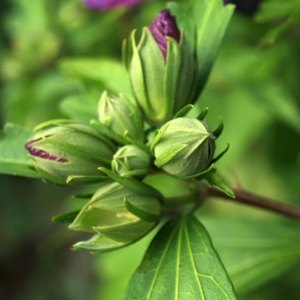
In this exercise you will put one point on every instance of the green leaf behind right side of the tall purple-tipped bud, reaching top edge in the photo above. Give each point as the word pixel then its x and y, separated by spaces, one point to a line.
pixel 206 21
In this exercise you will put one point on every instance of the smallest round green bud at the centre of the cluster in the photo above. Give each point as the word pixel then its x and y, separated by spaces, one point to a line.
pixel 131 161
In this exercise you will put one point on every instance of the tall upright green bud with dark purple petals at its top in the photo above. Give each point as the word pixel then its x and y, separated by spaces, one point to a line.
pixel 162 68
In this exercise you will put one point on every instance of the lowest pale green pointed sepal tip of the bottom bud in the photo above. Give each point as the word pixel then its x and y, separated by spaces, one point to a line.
pixel 98 244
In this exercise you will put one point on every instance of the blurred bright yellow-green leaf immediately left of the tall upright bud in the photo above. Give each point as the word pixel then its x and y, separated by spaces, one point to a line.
pixel 109 72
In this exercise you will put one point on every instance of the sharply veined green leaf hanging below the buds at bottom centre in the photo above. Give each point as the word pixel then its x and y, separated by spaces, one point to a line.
pixel 181 263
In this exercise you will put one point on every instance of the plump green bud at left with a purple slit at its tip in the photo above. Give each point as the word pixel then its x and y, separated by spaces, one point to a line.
pixel 61 149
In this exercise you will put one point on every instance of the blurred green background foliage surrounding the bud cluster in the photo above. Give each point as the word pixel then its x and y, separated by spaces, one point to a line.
pixel 254 86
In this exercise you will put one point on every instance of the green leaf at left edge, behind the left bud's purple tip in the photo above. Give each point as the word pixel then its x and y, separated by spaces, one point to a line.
pixel 14 158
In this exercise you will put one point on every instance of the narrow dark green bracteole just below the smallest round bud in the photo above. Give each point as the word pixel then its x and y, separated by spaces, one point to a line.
pixel 134 185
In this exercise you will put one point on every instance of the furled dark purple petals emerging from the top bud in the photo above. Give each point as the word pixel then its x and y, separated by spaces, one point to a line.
pixel 162 26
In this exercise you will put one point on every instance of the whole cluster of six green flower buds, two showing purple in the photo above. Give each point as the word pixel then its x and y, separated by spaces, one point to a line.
pixel 130 139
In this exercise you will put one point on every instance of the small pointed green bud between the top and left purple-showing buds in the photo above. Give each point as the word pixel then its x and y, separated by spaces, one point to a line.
pixel 121 116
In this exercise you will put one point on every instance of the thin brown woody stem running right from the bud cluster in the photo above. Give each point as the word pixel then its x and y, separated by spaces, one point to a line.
pixel 257 201
